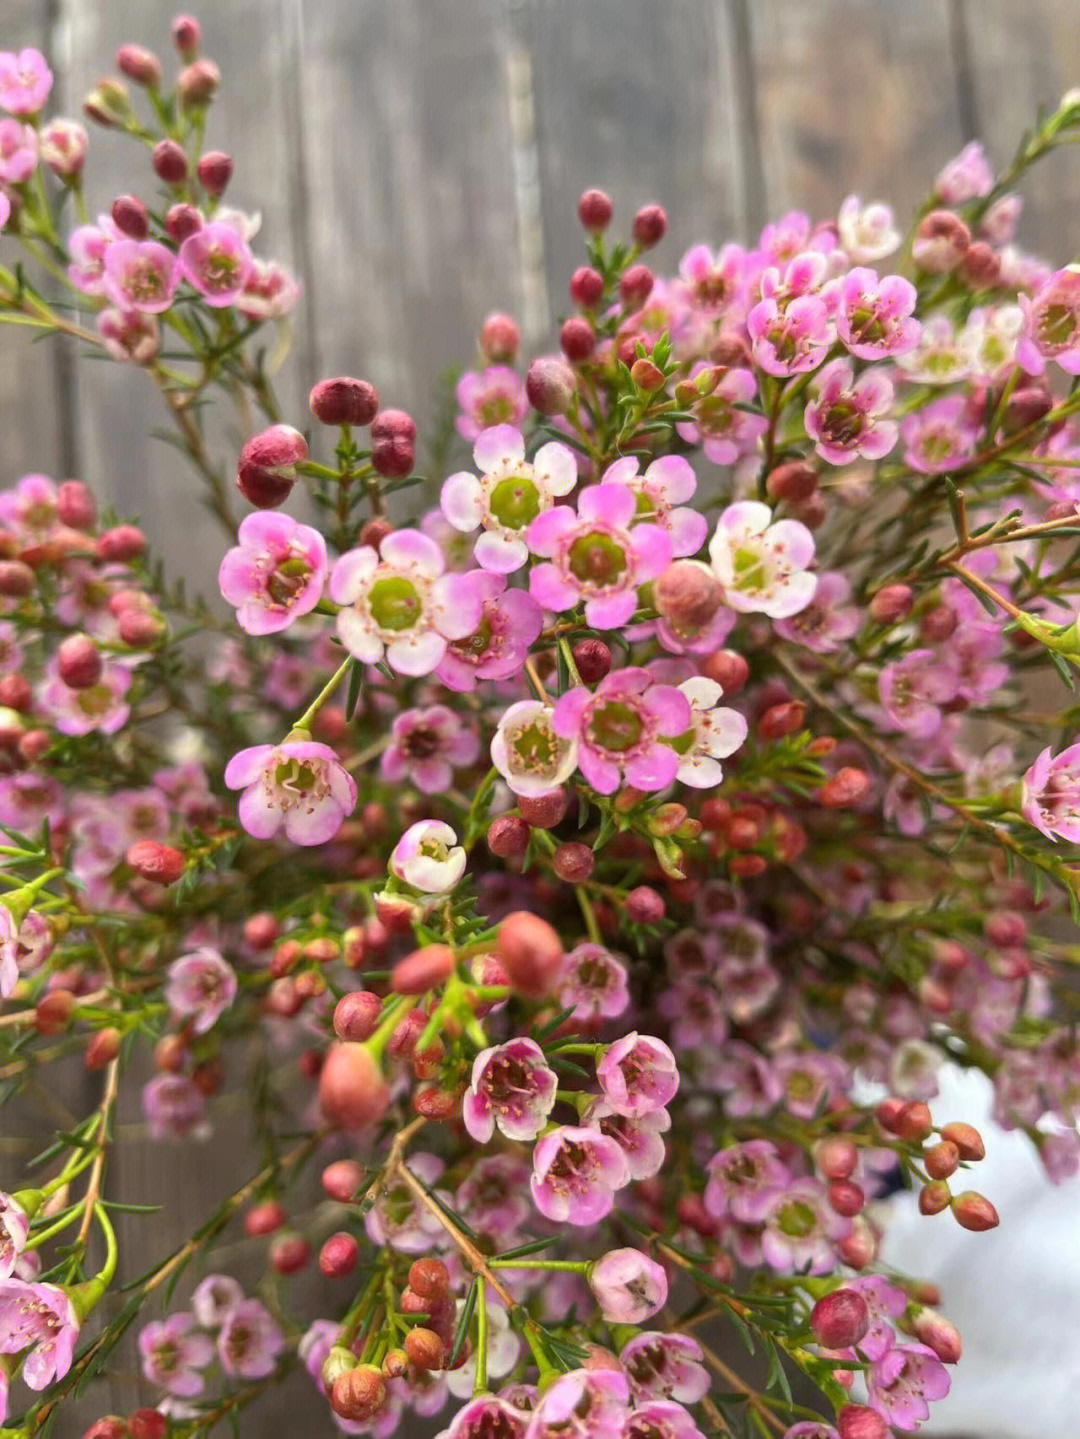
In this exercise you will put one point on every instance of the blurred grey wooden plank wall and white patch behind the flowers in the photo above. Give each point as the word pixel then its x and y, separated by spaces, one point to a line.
pixel 418 165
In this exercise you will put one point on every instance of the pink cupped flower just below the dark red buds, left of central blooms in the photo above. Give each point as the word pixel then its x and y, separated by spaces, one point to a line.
pixel 275 575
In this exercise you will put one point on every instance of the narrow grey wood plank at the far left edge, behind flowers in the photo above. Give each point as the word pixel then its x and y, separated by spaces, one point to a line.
pixel 31 440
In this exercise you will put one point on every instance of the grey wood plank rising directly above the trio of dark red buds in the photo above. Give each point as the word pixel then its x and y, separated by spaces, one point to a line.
pixel 412 188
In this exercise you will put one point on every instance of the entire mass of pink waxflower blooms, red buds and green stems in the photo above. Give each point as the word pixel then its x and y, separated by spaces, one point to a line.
pixel 576 861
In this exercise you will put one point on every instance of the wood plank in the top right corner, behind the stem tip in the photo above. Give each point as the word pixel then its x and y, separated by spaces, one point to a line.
pixel 1025 57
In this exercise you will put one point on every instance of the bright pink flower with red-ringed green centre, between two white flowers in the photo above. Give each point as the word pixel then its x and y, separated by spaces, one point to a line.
pixel 622 730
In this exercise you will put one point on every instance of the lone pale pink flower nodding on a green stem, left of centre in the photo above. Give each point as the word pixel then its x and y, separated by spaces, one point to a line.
pixel 300 786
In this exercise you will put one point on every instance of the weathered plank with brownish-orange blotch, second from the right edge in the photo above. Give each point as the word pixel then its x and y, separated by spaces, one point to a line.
pixel 854 97
